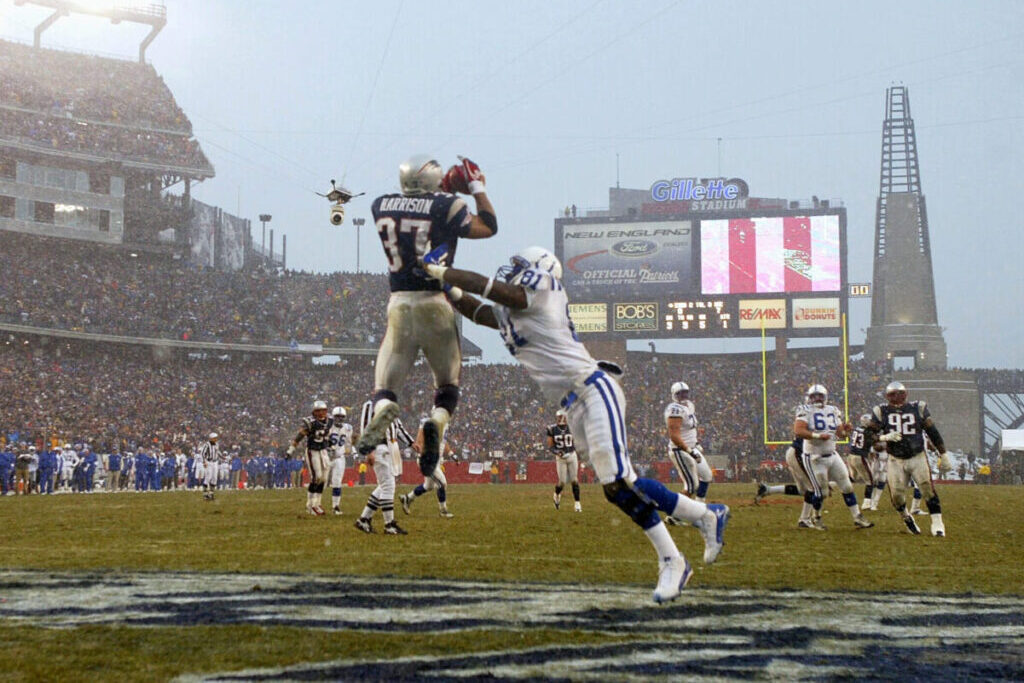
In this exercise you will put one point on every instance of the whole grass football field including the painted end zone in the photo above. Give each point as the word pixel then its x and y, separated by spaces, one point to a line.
pixel 157 586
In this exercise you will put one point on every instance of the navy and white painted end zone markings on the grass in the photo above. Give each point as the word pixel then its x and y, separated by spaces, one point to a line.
pixel 717 633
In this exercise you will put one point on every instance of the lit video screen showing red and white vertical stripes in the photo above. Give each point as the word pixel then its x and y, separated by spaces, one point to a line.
pixel 762 255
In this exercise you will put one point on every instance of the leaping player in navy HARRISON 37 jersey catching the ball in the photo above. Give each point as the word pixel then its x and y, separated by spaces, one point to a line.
pixel 425 216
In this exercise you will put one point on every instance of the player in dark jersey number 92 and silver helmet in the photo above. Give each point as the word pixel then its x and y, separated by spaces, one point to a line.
pixel 903 426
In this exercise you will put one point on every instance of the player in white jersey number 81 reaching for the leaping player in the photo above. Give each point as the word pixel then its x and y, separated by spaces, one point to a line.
pixel 531 311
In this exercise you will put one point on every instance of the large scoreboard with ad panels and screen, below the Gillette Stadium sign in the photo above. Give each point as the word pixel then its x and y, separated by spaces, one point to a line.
pixel 714 275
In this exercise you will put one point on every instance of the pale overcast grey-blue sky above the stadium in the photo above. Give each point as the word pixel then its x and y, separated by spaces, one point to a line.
pixel 286 96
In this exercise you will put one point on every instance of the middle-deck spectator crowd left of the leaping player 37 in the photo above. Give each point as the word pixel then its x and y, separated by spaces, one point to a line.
pixel 94 288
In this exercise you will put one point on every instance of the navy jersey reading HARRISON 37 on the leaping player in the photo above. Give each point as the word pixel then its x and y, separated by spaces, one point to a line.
pixel 411 227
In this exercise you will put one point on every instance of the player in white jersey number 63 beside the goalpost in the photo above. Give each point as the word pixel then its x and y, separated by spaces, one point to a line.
pixel 821 424
